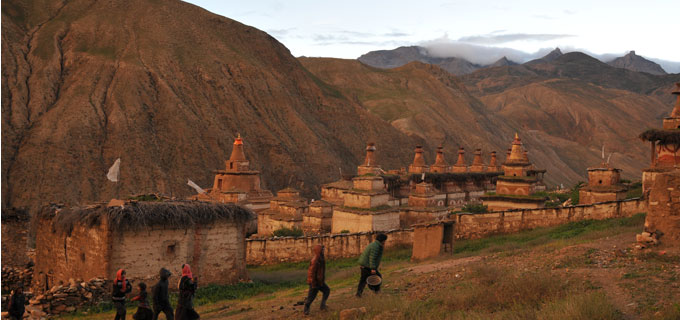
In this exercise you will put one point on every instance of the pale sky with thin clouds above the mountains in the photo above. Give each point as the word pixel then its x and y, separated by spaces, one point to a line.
pixel 480 31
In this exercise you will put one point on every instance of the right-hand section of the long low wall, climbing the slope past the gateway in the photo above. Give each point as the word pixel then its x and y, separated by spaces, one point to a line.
pixel 480 225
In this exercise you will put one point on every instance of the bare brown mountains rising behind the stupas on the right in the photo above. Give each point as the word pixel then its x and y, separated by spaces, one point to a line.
pixel 563 120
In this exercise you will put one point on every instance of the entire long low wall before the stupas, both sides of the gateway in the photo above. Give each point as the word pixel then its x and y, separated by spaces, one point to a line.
pixel 467 226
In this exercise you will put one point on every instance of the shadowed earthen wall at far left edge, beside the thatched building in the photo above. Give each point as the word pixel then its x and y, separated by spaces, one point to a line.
pixel 15 238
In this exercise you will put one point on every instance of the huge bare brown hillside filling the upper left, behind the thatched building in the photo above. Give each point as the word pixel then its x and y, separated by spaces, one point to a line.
pixel 165 86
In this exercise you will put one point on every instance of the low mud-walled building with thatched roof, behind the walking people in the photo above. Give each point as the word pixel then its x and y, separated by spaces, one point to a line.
pixel 141 237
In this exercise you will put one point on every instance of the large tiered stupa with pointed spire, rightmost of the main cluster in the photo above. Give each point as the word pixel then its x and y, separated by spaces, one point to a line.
pixel 516 187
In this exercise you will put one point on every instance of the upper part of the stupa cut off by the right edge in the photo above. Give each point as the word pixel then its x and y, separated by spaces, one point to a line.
pixel 665 145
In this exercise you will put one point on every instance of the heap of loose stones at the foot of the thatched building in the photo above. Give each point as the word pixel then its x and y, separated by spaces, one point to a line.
pixel 69 297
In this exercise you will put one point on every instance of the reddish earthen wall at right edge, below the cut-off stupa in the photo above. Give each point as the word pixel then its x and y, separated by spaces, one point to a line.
pixel 664 208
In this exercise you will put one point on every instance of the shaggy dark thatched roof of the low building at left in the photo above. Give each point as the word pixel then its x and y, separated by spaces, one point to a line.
pixel 177 214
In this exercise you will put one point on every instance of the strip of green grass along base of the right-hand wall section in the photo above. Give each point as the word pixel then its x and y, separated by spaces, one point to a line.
pixel 540 236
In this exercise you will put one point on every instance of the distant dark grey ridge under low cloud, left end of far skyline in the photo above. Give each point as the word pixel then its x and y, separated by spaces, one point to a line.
pixel 387 59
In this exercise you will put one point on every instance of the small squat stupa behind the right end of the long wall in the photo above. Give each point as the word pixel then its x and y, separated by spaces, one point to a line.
pixel 604 184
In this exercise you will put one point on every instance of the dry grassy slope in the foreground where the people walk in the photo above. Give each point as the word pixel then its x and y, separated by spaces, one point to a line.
pixel 581 270
